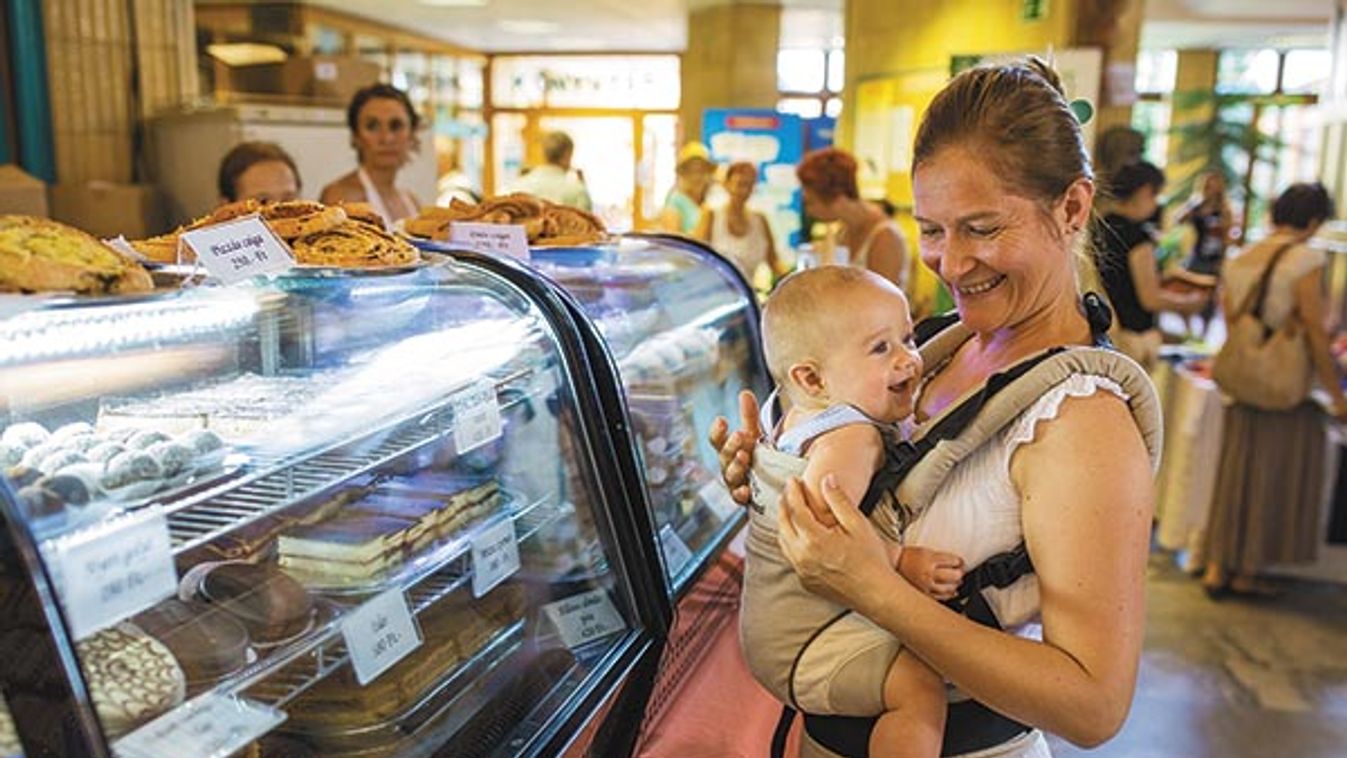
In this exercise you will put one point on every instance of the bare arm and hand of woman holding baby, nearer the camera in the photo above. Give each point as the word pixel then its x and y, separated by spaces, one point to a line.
pixel 1089 547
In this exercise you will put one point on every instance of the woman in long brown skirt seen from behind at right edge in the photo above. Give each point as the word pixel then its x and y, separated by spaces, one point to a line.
pixel 1266 508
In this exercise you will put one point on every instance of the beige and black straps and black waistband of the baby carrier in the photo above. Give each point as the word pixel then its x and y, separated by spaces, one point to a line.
pixel 915 471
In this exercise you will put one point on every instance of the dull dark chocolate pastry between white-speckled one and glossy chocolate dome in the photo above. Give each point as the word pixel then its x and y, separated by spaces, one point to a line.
pixel 208 643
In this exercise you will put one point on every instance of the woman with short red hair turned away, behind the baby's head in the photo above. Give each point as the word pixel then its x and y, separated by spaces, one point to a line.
pixel 830 195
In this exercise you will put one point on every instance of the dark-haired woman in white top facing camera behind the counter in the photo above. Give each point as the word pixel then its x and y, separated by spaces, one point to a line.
pixel 383 131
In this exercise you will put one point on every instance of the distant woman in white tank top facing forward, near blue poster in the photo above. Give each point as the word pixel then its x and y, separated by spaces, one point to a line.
pixel 742 235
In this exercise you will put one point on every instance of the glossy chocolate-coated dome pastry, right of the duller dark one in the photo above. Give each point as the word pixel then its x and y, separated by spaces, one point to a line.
pixel 267 601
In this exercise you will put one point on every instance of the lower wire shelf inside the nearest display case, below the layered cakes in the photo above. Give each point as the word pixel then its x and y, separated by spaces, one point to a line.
pixel 284 677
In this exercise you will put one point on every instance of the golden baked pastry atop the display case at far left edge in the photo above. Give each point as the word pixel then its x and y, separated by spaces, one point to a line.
pixel 38 255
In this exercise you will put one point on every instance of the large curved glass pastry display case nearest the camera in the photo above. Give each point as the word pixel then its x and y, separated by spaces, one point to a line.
pixel 331 514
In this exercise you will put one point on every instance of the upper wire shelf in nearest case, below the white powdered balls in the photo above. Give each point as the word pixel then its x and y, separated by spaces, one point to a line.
pixel 278 484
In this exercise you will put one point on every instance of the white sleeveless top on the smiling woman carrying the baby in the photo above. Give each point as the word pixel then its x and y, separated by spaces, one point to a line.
pixel 977 512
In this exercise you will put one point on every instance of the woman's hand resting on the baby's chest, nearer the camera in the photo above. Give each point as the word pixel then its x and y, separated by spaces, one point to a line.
pixel 848 563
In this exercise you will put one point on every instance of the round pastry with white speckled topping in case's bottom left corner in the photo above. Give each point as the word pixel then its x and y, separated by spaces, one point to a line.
pixel 133 678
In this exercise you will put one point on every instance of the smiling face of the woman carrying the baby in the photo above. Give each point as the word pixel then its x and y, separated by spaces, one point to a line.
pixel 997 252
